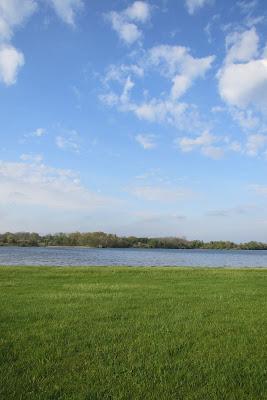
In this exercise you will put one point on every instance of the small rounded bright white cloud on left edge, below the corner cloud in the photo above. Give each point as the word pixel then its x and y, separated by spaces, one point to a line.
pixel 11 60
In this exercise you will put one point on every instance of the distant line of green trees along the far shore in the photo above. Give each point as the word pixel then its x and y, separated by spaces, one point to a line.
pixel 106 240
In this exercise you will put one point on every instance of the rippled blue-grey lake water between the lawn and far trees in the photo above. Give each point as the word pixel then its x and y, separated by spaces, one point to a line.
pixel 71 256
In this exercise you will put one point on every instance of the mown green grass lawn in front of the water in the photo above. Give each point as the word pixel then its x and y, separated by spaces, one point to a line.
pixel 133 333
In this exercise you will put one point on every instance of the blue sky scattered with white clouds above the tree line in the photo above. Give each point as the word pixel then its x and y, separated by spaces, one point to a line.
pixel 143 118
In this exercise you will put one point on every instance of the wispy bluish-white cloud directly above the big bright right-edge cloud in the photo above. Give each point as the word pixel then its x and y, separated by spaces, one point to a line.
pixel 242 47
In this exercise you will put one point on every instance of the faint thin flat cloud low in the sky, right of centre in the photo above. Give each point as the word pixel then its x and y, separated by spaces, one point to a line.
pixel 164 194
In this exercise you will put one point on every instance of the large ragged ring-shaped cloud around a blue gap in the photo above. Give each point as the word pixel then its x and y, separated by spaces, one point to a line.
pixel 175 64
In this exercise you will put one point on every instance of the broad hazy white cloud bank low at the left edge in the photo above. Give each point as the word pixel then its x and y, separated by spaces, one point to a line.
pixel 25 183
